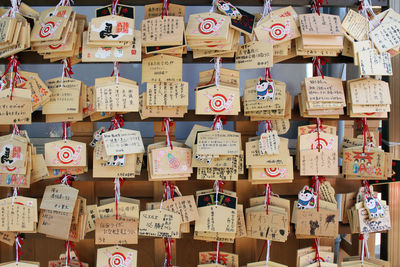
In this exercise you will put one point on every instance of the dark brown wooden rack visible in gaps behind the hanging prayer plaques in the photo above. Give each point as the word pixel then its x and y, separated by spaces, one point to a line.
pixel 185 250
